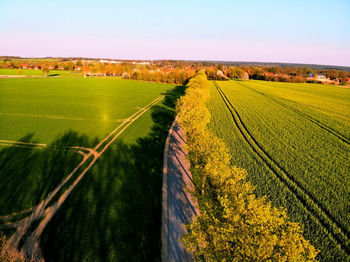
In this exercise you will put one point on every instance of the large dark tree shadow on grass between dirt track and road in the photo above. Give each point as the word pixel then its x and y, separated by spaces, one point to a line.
pixel 114 214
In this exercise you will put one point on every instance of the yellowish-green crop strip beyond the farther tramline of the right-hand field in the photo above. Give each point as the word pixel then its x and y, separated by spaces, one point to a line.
pixel 328 104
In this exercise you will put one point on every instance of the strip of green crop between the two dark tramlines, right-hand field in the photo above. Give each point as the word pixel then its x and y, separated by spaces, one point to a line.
pixel 313 157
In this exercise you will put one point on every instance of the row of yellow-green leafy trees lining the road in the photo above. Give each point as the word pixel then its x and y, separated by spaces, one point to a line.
pixel 233 225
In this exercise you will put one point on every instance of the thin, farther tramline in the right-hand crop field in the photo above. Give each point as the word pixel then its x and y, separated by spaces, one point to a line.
pixel 310 118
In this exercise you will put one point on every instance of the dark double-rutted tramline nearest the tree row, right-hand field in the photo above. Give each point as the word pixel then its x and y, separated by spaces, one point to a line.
pixel 312 206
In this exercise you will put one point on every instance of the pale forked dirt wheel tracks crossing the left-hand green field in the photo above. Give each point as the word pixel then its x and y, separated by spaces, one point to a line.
pixel 44 213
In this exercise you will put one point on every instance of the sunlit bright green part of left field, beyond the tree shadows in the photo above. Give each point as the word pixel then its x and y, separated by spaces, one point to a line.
pixel 47 107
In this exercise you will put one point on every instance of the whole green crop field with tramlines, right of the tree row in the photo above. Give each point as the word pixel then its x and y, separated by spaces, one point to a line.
pixel 294 141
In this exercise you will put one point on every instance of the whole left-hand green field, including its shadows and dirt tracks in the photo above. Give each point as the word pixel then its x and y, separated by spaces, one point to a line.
pixel 81 166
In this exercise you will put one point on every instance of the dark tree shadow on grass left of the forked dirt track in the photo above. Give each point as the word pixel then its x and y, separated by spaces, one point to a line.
pixel 28 174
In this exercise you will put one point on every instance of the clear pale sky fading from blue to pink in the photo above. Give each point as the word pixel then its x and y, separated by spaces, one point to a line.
pixel 299 31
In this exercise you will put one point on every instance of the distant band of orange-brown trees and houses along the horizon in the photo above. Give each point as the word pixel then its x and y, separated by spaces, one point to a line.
pixel 180 71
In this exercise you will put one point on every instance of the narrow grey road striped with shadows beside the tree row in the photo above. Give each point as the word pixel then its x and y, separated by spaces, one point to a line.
pixel 179 207
